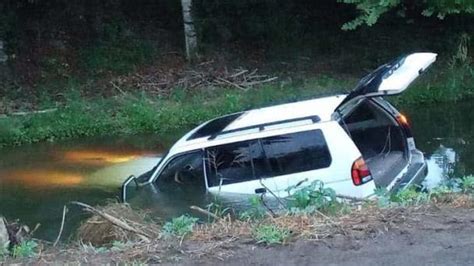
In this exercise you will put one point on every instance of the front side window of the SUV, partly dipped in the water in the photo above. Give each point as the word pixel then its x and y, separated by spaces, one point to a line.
pixel 183 172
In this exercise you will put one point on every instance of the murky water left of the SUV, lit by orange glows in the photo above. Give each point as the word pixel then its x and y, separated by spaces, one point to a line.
pixel 37 180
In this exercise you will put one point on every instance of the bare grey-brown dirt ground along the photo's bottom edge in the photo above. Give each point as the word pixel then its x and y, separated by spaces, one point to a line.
pixel 422 235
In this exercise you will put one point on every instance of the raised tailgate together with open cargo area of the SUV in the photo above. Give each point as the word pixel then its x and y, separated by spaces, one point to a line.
pixel 376 131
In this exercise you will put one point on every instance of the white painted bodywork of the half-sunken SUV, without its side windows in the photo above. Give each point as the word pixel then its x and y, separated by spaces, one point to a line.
pixel 389 79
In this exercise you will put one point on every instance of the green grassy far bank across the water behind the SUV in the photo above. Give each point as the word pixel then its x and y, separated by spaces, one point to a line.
pixel 132 113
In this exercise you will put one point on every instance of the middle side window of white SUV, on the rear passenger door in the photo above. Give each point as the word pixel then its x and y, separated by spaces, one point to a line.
pixel 235 162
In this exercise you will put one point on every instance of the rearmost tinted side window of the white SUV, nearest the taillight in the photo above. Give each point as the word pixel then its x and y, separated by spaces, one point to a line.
pixel 297 152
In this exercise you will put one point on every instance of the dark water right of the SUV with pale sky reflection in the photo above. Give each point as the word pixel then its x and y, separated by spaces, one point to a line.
pixel 445 133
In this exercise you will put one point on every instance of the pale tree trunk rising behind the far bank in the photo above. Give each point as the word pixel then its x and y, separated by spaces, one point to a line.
pixel 189 30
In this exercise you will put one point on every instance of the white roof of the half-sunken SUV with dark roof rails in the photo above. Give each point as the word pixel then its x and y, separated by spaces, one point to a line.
pixel 322 108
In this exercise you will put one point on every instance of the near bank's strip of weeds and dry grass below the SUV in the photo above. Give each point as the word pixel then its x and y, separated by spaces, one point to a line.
pixel 116 232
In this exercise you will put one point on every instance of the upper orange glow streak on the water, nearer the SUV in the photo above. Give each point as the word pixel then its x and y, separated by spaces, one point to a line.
pixel 99 157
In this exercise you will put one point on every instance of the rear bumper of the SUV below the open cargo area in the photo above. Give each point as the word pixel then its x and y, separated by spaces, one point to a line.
pixel 415 174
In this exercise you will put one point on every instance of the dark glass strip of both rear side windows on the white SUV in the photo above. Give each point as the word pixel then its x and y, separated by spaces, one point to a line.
pixel 272 156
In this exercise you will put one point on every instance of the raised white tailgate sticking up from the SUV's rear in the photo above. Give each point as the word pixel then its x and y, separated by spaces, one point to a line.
pixel 390 79
